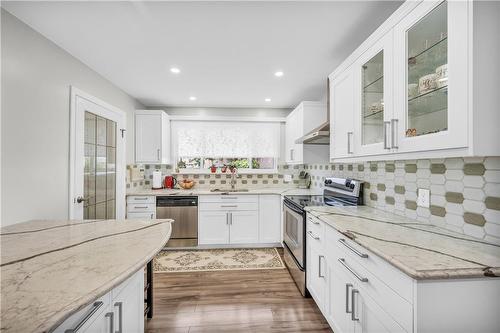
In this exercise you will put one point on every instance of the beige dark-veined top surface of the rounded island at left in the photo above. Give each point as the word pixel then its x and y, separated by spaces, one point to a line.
pixel 51 269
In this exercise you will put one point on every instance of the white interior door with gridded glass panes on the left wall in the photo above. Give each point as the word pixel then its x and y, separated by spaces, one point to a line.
pixel 97 173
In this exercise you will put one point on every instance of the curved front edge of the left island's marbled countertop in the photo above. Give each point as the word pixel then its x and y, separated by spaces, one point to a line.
pixel 50 326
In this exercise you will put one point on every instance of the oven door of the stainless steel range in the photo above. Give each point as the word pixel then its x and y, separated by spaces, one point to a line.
pixel 293 232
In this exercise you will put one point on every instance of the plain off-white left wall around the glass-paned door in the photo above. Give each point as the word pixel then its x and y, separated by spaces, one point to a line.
pixel 36 76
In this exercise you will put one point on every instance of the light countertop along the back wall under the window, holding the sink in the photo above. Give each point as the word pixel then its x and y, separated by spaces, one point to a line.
pixel 206 191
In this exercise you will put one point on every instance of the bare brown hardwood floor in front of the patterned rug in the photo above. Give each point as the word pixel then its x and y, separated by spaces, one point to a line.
pixel 232 301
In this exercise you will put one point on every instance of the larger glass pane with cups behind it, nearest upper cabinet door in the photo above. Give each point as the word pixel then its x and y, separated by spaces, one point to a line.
pixel 427 74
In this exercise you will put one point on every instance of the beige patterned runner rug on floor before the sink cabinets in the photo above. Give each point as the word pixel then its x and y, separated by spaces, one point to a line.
pixel 217 260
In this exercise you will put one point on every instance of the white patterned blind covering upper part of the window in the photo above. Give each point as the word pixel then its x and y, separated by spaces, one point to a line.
pixel 225 139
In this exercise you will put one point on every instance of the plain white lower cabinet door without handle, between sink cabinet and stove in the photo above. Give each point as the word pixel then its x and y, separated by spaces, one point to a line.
pixel 270 218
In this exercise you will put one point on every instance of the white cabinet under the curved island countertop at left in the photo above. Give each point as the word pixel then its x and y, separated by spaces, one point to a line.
pixel 120 310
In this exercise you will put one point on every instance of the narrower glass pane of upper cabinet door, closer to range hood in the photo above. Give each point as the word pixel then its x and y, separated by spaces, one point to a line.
pixel 372 117
